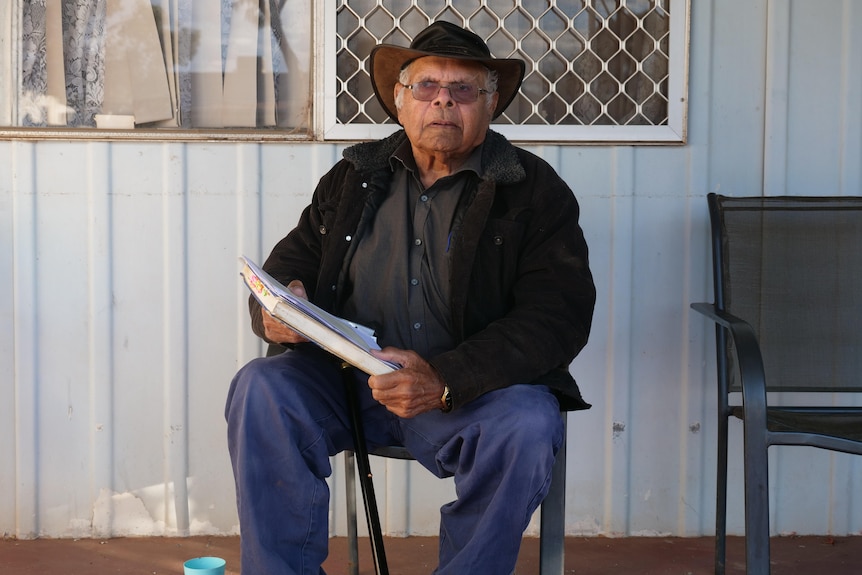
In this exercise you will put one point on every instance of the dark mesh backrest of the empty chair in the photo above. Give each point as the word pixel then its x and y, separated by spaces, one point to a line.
pixel 792 268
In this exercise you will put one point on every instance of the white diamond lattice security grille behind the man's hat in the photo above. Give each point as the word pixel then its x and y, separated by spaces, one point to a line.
pixel 589 62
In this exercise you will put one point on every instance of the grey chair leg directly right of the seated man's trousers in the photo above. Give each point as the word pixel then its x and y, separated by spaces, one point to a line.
pixel 552 538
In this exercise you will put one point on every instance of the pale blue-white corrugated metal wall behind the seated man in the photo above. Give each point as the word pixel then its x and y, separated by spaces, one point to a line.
pixel 122 317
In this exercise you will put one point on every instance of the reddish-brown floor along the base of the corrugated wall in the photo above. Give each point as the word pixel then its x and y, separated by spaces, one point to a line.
pixel 416 555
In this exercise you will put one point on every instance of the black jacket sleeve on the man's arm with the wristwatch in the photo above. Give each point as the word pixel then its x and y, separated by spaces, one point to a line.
pixel 531 298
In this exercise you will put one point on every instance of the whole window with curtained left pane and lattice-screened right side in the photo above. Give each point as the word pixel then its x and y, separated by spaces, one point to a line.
pixel 597 70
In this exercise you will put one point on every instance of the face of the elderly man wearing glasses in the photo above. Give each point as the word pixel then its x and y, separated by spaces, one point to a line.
pixel 444 125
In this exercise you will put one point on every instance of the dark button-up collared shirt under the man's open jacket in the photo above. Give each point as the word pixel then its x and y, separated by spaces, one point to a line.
pixel 399 273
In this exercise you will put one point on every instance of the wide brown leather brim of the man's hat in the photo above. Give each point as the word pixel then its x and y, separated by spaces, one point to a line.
pixel 387 61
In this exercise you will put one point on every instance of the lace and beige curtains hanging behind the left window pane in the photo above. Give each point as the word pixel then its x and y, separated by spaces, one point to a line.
pixel 164 63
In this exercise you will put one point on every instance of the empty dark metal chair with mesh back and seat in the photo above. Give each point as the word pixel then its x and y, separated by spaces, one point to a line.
pixel 788 313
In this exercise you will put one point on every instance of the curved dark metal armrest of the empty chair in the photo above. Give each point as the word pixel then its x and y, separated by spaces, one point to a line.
pixel 752 375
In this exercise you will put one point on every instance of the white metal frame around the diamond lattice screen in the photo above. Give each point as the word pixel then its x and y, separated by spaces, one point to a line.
pixel 674 132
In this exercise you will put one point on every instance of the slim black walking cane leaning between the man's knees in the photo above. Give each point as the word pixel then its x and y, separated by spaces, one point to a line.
pixel 365 478
